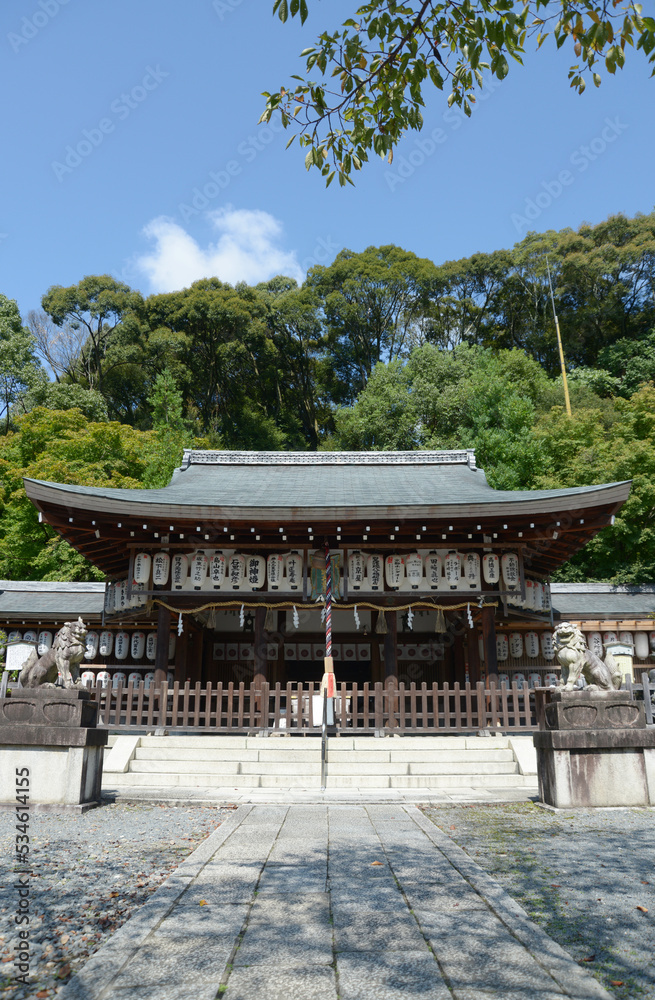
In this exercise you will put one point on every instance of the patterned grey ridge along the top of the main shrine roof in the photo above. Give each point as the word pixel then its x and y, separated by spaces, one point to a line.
pixel 455 457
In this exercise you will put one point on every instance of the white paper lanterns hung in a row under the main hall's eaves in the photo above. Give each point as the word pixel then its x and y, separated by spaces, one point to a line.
pixel 203 570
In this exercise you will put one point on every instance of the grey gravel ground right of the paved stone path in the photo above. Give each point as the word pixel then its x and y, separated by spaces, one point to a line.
pixel 586 877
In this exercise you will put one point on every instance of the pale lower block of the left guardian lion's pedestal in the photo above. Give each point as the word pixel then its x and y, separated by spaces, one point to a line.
pixel 58 776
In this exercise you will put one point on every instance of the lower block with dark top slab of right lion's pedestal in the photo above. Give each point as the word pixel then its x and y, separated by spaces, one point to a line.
pixel 575 773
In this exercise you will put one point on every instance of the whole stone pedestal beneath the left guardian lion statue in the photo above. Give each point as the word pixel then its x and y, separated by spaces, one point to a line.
pixel 52 732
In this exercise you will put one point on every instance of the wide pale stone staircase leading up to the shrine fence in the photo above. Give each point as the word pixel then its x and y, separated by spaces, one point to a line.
pixel 248 762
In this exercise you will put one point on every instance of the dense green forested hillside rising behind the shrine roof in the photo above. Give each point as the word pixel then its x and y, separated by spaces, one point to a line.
pixel 381 349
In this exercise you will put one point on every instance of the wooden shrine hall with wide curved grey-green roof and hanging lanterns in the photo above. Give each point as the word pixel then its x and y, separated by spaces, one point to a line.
pixel 220 577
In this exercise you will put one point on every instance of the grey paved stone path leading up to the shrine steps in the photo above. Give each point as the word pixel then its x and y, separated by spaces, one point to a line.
pixel 315 902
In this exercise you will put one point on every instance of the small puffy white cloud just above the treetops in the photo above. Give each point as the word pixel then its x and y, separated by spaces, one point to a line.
pixel 247 249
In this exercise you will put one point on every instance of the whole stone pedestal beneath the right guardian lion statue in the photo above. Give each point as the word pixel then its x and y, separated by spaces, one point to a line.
pixel 595 750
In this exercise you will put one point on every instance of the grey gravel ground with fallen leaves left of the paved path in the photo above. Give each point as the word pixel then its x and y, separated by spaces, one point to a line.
pixel 89 873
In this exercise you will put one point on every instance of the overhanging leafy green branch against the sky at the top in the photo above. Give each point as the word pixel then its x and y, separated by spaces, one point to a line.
pixel 365 82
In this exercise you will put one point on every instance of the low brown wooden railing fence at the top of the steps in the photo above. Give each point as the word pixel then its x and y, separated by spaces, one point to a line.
pixel 358 709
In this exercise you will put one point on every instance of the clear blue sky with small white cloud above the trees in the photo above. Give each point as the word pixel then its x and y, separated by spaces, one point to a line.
pixel 131 147
